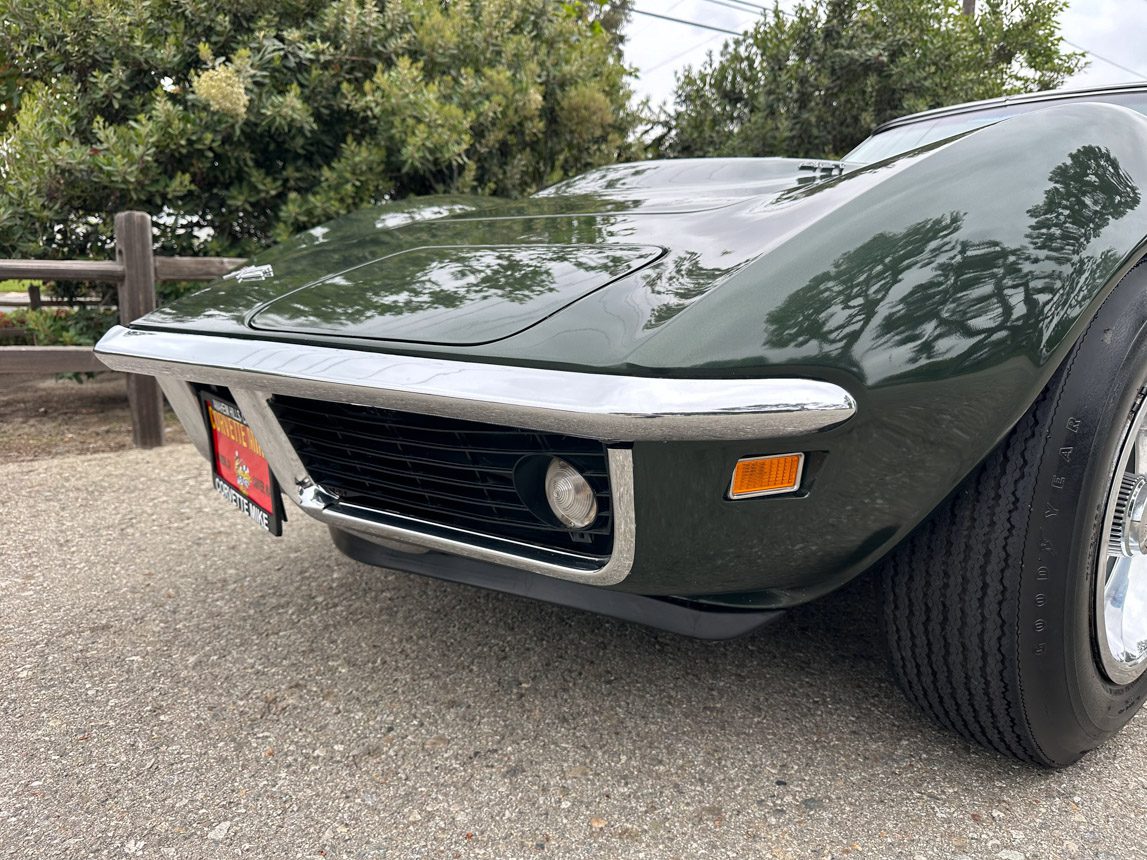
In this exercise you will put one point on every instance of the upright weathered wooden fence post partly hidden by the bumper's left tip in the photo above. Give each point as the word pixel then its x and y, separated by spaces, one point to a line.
pixel 137 298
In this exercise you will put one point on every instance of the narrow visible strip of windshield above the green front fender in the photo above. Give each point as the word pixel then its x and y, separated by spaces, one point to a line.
pixel 903 138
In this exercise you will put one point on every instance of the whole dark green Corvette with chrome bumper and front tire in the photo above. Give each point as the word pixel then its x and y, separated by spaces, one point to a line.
pixel 695 394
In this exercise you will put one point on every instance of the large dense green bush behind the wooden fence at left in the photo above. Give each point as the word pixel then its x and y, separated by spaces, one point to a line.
pixel 240 122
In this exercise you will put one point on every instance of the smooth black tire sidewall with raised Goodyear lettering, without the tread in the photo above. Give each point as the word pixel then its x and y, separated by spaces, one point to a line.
pixel 1071 706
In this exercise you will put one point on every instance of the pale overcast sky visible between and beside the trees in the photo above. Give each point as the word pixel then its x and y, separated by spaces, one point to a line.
pixel 1113 29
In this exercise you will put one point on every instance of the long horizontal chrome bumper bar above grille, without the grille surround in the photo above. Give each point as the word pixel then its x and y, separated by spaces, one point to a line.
pixel 599 406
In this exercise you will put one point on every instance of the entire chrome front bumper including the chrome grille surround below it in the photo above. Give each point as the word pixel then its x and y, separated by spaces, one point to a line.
pixel 600 406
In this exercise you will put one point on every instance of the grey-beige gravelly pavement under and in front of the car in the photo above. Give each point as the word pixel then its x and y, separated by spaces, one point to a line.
pixel 174 684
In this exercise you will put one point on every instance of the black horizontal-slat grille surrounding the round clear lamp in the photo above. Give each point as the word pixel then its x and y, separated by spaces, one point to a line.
pixel 446 471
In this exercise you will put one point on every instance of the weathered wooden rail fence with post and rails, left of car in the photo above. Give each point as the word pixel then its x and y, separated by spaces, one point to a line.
pixel 136 272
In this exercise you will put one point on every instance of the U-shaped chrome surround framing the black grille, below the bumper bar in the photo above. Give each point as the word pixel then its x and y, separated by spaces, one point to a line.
pixel 311 498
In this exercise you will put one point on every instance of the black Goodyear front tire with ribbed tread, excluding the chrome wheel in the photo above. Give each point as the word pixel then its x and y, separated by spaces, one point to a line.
pixel 990 606
